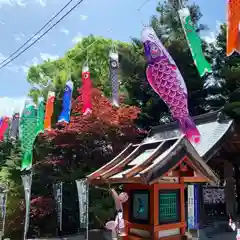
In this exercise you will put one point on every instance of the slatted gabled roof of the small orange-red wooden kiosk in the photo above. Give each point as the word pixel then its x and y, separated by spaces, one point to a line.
pixel 150 162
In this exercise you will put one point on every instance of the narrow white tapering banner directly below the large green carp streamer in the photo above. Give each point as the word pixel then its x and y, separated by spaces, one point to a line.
pixel 27 183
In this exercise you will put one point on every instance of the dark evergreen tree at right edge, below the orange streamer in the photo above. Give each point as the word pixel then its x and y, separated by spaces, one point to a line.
pixel 224 86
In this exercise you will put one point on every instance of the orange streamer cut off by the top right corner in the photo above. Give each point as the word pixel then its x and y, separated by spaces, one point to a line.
pixel 233 33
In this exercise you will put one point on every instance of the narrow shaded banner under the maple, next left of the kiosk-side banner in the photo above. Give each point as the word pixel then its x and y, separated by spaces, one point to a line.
pixel 57 189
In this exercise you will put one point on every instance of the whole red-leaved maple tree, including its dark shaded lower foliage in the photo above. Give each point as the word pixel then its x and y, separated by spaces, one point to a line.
pixel 71 151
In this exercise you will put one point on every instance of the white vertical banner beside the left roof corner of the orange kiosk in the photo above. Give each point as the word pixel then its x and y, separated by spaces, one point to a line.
pixel 82 188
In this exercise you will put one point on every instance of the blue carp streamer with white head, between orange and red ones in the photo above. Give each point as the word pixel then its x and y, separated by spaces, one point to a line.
pixel 66 103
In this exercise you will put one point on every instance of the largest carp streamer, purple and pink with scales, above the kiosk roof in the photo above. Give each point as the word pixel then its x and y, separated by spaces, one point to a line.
pixel 166 80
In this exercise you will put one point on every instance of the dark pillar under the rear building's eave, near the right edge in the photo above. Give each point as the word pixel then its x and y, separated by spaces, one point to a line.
pixel 229 190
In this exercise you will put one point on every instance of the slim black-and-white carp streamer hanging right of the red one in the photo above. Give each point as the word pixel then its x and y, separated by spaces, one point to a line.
pixel 114 67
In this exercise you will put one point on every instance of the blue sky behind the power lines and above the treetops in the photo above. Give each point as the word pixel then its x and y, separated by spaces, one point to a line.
pixel 19 19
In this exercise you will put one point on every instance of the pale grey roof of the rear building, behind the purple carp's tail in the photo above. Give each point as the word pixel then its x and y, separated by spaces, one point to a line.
pixel 213 127
